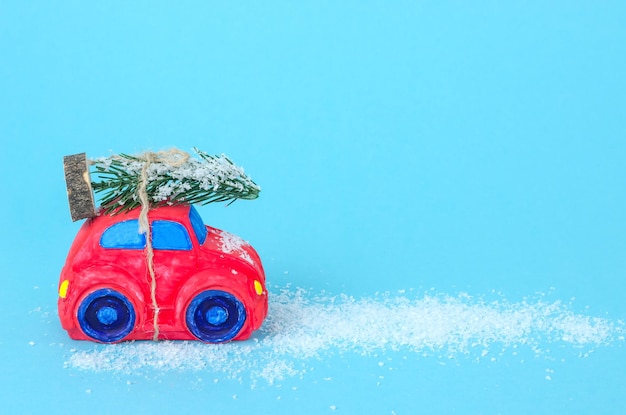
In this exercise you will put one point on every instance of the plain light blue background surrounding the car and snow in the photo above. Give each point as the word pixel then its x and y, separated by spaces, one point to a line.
pixel 463 146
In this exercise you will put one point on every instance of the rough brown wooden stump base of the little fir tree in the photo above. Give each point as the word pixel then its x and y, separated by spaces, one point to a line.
pixel 79 191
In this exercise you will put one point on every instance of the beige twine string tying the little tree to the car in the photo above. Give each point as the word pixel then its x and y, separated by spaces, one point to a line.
pixel 173 158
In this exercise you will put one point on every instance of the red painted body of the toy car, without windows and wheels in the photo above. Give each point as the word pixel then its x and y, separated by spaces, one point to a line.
pixel 216 264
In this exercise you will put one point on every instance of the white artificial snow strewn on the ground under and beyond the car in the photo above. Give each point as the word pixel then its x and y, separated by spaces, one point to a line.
pixel 302 327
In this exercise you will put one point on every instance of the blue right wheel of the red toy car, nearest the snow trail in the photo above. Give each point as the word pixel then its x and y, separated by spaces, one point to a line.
pixel 215 316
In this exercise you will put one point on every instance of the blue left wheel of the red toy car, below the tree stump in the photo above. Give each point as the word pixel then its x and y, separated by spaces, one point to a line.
pixel 106 315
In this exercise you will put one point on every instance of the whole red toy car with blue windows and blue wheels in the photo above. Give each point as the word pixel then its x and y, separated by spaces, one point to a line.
pixel 210 285
